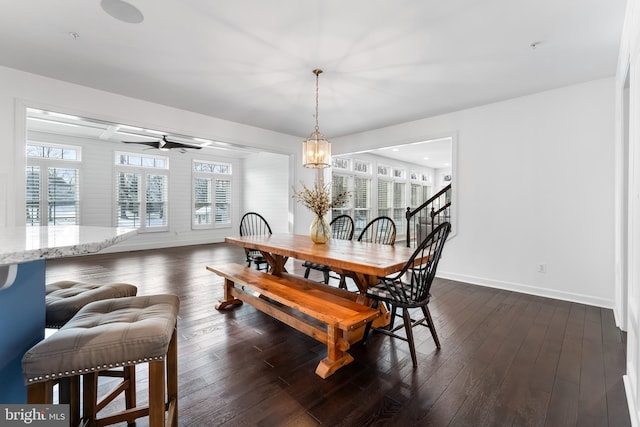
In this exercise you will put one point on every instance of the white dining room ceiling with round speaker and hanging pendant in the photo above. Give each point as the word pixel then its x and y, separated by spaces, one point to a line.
pixel 384 62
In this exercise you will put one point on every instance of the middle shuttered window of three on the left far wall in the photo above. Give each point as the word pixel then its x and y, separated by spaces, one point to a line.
pixel 142 191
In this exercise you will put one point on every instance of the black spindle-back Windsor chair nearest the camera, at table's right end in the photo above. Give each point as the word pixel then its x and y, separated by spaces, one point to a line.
pixel 410 289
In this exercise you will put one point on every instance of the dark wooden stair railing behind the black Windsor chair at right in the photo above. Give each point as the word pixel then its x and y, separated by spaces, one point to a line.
pixel 428 215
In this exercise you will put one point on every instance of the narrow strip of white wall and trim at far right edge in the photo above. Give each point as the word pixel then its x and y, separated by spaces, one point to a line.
pixel 627 261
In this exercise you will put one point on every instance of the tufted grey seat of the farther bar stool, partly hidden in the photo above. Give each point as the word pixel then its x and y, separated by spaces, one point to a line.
pixel 64 298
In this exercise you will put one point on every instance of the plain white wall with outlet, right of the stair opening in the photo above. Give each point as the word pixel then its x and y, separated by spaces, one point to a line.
pixel 534 179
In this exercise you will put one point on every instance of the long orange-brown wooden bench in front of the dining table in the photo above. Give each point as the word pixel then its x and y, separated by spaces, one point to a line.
pixel 322 312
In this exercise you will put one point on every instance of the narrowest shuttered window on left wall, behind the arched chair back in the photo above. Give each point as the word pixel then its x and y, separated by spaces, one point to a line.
pixel 211 194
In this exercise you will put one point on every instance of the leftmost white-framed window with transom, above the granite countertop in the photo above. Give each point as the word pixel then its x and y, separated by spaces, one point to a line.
pixel 52 185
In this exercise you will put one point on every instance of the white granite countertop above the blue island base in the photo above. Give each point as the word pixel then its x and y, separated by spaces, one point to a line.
pixel 23 244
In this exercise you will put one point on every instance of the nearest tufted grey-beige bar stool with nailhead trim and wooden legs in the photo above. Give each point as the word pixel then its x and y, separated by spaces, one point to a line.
pixel 106 334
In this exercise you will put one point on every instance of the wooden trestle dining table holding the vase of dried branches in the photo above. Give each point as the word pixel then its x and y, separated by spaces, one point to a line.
pixel 361 261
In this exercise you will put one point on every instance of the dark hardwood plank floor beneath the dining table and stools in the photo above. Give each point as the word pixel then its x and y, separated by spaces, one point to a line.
pixel 507 359
